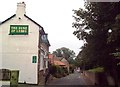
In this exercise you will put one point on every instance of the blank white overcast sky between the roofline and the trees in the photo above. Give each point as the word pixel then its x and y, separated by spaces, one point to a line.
pixel 55 16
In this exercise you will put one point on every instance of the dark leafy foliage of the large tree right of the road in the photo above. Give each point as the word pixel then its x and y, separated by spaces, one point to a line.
pixel 92 25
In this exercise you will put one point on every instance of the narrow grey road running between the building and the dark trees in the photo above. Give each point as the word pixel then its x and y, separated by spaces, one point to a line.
pixel 72 79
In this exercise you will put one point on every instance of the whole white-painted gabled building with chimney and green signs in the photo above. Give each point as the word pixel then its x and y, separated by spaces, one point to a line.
pixel 22 46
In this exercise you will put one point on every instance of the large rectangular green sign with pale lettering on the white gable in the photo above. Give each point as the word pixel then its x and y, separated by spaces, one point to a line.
pixel 18 29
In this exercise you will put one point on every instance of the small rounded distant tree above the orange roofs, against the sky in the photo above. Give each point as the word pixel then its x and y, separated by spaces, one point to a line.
pixel 66 53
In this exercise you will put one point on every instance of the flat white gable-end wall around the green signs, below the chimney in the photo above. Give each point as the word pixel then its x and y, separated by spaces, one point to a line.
pixel 17 50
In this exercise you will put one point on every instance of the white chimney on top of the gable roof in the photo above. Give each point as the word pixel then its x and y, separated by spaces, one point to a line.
pixel 21 9
